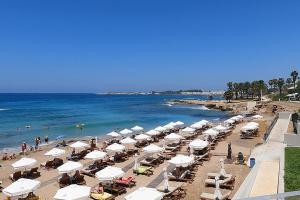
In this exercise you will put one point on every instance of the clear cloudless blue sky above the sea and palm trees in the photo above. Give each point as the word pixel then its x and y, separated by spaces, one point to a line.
pixel 108 45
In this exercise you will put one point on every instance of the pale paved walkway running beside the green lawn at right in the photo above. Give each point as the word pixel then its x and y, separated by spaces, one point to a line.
pixel 266 177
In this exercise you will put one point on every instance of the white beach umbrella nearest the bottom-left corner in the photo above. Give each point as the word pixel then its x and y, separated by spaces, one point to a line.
pixel 21 187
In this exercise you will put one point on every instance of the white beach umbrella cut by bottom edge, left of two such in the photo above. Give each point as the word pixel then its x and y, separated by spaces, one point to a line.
pixel 73 192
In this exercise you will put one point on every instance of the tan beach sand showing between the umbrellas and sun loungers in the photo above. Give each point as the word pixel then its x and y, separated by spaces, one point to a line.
pixel 49 178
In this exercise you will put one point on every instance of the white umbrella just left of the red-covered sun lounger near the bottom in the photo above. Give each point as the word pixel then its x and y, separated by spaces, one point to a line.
pixel 109 173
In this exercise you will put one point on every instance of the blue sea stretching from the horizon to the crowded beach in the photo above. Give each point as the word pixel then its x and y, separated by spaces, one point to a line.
pixel 58 114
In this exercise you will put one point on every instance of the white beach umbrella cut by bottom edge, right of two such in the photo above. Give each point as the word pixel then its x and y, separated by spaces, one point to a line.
pixel 144 193
